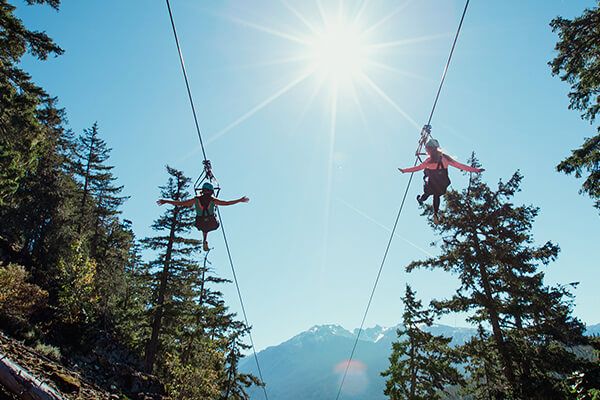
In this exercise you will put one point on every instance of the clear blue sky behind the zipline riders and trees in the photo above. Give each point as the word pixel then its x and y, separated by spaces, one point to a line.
pixel 324 185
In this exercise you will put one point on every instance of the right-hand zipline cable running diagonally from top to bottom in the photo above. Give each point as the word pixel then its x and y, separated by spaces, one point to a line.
pixel 422 141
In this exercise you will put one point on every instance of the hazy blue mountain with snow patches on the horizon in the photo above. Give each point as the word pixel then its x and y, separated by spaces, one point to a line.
pixel 310 365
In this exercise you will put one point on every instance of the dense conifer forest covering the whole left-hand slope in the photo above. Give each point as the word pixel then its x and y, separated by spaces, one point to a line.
pixel 60 217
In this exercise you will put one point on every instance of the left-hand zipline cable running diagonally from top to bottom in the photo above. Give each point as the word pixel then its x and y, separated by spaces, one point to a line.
pixel 237 286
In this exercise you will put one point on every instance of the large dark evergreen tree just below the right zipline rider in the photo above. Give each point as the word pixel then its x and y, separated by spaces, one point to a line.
pixel 487 243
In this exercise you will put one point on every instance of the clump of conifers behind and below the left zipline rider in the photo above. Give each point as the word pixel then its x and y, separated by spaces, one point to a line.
pixel 194 342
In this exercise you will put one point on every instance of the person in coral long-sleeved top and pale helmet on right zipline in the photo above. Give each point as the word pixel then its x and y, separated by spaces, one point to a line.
pixel 436 174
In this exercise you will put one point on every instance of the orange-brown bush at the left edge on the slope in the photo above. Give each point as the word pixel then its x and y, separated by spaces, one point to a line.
pixel 18 298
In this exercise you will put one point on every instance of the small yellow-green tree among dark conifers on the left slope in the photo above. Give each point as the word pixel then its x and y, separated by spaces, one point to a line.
pixel 77 296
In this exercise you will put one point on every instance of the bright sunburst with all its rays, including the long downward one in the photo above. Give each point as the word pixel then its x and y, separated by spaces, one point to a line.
pixel 340 50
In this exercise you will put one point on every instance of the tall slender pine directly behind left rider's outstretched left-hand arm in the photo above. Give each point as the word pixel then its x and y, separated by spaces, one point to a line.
pixel 170 270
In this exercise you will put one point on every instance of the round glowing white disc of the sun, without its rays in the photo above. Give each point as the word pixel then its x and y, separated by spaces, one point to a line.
pixel 338 53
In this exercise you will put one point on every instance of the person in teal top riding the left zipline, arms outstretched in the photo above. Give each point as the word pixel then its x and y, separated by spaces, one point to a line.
pixel 205 204
